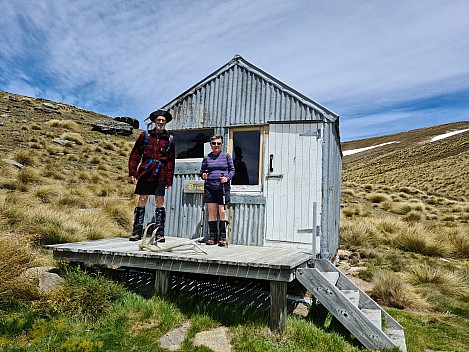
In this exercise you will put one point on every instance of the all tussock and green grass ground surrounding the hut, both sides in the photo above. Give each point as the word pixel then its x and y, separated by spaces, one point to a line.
pixel 404 233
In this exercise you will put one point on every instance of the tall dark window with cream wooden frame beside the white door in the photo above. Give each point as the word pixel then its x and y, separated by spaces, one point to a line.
pixel 246 150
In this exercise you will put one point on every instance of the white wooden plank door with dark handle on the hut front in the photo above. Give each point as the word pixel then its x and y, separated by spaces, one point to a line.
pixel 293 187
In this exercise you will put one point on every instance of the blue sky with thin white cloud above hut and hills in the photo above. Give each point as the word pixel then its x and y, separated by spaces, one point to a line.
pixel 383 66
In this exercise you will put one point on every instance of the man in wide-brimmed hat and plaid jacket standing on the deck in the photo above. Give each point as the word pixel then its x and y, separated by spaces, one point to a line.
pixel 151 164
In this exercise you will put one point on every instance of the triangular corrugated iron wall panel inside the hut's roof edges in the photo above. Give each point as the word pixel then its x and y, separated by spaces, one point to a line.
pixel 238 97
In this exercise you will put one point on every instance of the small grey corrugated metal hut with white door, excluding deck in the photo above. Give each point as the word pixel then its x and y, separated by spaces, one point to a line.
pixel 288 193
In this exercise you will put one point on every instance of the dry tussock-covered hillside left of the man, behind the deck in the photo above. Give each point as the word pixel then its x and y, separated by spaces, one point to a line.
pixel 66 188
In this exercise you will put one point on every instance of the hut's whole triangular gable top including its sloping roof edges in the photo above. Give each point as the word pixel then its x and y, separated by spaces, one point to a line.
pixel 241 88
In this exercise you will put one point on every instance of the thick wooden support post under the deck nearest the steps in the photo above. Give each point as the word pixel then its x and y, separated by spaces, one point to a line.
pixel 278 306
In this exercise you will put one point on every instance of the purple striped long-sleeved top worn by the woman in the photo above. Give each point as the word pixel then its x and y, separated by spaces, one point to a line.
pixel 217 166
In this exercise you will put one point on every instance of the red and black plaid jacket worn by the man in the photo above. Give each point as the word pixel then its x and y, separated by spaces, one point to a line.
pixel 153 162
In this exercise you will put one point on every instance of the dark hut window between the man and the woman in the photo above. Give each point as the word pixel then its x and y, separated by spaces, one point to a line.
pixel 192 143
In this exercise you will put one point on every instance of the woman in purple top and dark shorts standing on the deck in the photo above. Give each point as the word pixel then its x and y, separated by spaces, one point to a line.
pixel 217 169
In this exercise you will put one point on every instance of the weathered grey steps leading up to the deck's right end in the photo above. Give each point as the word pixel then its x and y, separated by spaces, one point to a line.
pixel 362 316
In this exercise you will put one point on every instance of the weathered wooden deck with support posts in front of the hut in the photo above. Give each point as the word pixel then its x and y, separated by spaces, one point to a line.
pixel 277 265
